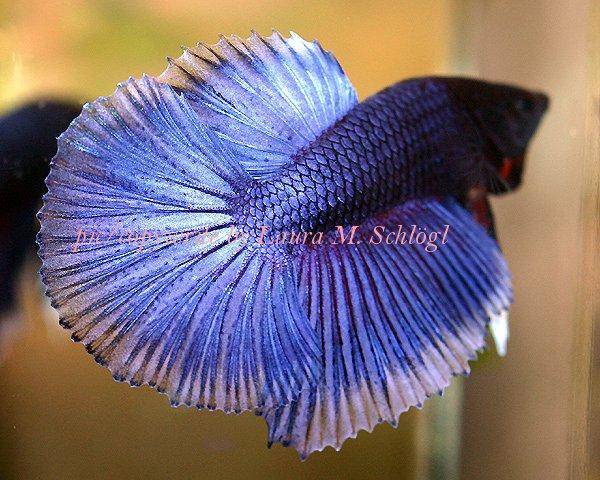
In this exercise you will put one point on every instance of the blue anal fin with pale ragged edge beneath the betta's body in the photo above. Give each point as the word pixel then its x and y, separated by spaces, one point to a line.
pixel 395 323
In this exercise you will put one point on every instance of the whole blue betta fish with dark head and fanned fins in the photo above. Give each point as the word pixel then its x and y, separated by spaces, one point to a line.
pixel 208 166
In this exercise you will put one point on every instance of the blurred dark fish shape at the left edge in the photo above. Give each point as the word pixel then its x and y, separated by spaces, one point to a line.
pixel 27 143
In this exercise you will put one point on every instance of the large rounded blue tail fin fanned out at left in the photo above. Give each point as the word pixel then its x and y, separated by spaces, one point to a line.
pixel 138 261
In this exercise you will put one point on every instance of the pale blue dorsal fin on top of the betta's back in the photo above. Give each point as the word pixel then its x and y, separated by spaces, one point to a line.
pixel 268 97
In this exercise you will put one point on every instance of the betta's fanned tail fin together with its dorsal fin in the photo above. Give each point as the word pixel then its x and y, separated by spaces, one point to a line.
pixel 143 178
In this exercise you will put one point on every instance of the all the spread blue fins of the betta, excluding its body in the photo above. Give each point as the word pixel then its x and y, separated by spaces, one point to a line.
pixel 322 342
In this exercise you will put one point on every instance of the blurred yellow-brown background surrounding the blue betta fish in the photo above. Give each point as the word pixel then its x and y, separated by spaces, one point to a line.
pixel 62 416
